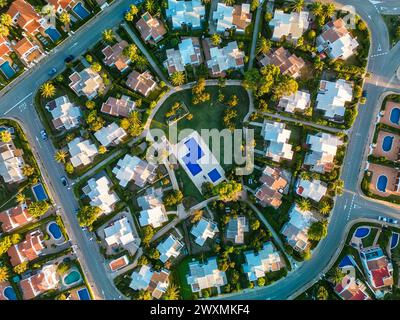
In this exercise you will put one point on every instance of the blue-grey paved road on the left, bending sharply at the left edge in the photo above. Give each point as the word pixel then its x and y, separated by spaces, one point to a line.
pixel 18 103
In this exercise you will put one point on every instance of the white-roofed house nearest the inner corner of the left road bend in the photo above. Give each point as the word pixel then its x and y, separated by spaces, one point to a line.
pixel 65 114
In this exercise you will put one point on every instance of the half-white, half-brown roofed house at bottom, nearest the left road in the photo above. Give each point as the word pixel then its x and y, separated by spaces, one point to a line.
pixel 156 282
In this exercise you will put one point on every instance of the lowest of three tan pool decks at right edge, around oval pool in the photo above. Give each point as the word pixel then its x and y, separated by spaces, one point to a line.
pixel 391 173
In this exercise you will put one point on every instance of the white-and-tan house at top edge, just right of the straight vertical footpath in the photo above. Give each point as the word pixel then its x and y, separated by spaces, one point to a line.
pixel 289 25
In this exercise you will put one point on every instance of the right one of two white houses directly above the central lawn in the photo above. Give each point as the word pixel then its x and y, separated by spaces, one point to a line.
pixel 219 60
